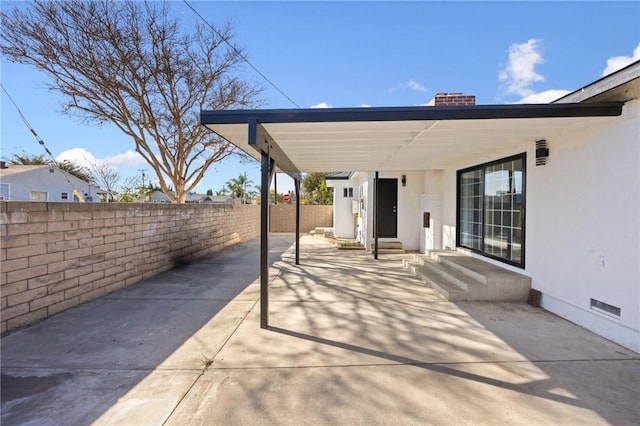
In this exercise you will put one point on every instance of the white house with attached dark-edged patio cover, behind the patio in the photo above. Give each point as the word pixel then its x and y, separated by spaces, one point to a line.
pixel 551 191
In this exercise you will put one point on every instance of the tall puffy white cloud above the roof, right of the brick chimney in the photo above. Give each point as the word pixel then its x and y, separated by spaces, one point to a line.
pixel 519 73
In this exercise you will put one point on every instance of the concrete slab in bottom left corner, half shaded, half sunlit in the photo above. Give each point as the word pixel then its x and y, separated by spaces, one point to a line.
pixel 82 397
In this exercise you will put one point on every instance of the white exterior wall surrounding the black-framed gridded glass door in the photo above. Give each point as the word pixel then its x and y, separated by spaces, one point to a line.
pixel 582 224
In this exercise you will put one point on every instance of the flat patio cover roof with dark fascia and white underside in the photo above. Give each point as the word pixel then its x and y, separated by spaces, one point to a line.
pixel 397 138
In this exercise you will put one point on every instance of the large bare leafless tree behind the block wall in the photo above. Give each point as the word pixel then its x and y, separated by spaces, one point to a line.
pixel 132 64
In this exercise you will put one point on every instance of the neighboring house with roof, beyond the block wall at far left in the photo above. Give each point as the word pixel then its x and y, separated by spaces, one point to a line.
pixel 44 183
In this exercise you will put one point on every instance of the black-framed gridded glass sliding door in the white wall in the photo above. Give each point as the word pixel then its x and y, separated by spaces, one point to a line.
pixel 491 205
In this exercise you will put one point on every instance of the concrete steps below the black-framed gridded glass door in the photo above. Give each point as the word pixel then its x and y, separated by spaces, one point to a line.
pixel 460 277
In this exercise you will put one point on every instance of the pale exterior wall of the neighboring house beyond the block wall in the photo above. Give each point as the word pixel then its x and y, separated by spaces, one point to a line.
pixel 54 184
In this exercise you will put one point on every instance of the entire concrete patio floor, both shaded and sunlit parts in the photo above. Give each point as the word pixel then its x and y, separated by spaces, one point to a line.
pixel 352 341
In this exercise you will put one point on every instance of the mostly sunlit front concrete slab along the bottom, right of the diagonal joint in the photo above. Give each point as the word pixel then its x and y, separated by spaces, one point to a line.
pixel 438 394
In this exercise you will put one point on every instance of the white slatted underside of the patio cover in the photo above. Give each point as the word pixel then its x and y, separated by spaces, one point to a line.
pixel 401 145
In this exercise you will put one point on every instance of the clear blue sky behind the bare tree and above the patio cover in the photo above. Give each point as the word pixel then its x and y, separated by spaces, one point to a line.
pixel 351 54
